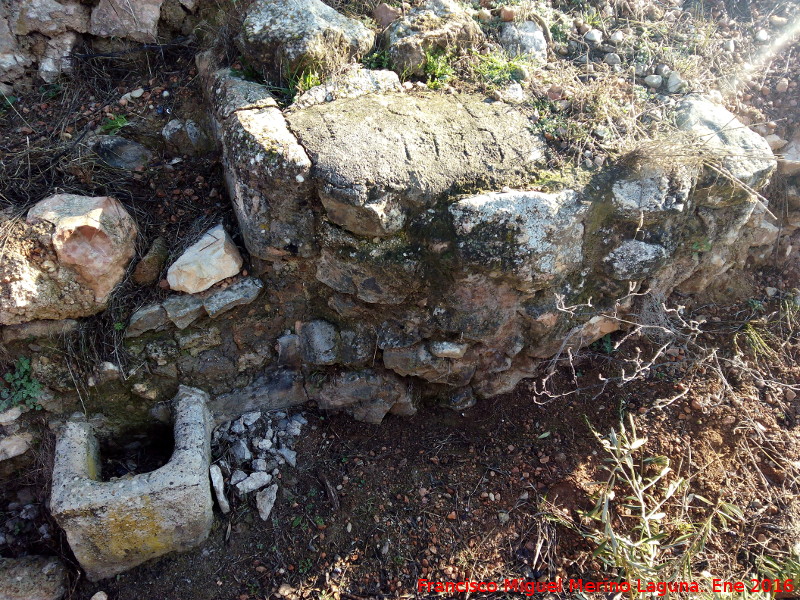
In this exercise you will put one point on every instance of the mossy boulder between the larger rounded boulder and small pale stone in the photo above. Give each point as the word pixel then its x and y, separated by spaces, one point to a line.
pixel 435 26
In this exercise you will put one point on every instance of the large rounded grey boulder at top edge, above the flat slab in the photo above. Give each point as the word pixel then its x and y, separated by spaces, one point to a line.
pixel 284 38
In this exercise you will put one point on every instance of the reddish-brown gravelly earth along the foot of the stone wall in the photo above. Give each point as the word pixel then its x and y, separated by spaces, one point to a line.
pixel 498 491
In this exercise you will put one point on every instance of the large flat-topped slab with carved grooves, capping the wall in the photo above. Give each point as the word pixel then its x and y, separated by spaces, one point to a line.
pixel 429 145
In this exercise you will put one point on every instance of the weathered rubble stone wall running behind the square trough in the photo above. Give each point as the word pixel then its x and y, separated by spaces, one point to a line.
pixel 397 250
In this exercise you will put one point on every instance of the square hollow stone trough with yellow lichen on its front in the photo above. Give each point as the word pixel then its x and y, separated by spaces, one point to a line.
pixel 115 525
